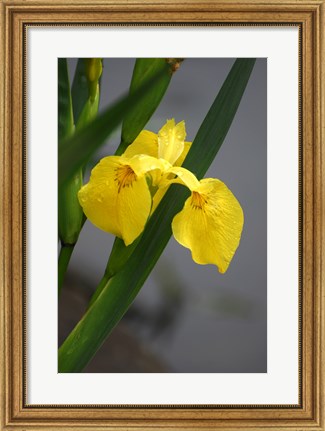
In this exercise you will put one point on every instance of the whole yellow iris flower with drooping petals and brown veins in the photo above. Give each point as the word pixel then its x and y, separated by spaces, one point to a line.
pixel 123 191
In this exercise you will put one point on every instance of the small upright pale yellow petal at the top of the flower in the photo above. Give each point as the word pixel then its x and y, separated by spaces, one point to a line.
pixel 171 139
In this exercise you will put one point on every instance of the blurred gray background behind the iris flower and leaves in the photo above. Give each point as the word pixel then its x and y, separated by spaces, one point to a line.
pixel 188 317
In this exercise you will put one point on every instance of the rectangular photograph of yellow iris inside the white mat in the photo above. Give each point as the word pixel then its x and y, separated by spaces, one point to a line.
pixel 199 298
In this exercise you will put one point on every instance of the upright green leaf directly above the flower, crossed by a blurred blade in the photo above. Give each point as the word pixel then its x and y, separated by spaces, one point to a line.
pixel 145 68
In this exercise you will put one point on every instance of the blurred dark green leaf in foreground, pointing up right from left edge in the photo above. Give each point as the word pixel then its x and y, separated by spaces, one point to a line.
pixel 76 151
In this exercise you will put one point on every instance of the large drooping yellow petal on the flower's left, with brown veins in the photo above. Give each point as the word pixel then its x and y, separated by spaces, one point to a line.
pixel 117 199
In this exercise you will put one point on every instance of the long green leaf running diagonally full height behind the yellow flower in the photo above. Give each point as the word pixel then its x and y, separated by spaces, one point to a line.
pixel 119 292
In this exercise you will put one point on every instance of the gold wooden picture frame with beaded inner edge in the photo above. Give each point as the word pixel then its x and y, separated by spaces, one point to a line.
pixel 15 413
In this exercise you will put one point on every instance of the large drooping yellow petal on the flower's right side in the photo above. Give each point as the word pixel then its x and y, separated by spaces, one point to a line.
pixel 210 224
